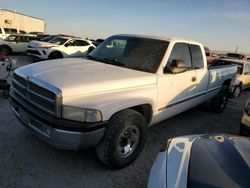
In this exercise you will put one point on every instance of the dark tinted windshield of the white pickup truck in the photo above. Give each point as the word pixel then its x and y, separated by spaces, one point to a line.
pixel 136 53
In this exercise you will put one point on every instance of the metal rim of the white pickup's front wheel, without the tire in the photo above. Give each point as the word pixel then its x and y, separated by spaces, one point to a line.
pixel 128 141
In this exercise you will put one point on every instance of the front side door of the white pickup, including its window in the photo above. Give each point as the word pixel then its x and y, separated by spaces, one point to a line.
pixel 176 91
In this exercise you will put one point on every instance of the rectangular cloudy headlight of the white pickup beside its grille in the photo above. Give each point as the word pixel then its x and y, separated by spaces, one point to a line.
pixel 81 114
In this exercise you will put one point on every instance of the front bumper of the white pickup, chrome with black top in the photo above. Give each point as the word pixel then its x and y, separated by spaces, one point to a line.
pixel 59 133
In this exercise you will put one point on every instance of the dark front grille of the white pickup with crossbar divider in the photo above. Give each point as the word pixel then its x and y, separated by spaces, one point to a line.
pixel 36 95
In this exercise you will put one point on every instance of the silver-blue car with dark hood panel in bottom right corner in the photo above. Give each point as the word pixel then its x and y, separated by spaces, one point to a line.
pixel 203 161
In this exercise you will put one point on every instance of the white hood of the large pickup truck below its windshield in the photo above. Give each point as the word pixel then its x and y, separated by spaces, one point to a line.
pixel 78 76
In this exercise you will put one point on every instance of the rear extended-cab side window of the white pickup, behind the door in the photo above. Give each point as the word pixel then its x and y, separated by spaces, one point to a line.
pixel 197 57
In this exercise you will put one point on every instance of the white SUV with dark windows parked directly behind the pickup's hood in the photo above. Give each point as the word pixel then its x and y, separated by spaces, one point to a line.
pixel 59 47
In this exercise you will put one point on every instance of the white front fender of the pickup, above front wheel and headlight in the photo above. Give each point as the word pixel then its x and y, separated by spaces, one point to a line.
pixel 111 102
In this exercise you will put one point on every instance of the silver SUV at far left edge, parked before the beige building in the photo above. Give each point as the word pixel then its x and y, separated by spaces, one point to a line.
pixel 16 43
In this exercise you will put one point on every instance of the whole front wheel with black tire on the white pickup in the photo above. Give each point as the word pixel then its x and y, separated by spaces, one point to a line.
pixel 118 129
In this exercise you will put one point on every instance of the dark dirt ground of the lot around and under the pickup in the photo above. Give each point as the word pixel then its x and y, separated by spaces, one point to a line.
pixel 28 162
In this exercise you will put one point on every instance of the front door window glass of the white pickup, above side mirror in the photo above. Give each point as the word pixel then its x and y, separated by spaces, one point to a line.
pixel 180 51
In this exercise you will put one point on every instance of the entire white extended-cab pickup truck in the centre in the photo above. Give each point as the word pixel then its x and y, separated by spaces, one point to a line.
pixel 108 99
